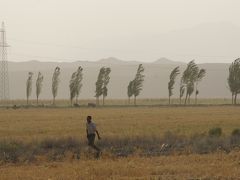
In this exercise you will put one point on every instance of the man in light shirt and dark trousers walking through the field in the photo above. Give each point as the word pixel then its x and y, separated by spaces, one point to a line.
pixel 91 133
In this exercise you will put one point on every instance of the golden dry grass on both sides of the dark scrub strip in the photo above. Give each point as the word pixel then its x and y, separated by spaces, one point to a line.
pixel 34 124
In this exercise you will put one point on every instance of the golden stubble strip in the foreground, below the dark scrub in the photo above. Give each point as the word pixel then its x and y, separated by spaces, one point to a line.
pixel 209 167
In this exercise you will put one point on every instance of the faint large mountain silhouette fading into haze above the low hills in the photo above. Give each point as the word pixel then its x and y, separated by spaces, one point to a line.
pixel 207 41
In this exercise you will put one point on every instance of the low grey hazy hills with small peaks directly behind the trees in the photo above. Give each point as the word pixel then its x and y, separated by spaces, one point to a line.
pixel 214 85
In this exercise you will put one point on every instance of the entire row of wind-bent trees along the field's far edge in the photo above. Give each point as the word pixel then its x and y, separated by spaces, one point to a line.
pixel 189 81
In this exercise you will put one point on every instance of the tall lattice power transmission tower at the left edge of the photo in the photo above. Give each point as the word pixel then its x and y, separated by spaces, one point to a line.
pixel 4 81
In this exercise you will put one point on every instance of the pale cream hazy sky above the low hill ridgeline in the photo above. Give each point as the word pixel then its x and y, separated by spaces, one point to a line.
pixel 144 30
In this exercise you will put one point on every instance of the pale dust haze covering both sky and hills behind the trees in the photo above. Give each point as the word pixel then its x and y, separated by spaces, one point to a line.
pixel 45 34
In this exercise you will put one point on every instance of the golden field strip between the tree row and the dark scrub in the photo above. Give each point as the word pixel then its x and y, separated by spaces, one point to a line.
pixel 27 124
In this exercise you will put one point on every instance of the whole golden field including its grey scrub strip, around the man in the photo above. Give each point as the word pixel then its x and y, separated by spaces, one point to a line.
pixel 50 143
